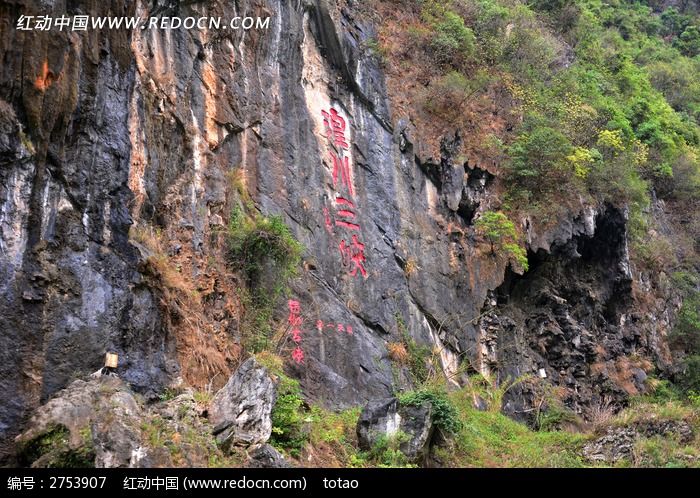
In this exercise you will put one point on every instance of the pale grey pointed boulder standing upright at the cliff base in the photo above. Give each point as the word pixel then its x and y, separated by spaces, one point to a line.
pixel 241 411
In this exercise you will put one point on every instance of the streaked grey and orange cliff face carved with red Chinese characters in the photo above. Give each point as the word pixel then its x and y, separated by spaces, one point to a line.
pixel 110 133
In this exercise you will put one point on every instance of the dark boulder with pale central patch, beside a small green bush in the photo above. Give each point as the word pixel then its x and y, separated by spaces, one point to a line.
pixel 388 418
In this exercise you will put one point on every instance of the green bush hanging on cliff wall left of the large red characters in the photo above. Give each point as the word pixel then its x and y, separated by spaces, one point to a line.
pixel 264 250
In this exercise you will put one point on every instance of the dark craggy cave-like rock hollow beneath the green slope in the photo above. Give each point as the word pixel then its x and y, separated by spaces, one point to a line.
pixel 569 318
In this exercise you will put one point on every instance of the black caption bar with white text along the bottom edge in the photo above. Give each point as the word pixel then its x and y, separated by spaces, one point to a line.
pixel 325 482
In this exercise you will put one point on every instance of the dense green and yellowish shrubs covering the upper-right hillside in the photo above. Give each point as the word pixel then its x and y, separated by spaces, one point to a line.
pixel 605 93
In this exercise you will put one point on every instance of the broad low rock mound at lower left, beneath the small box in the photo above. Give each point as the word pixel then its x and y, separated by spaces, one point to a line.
pixel 101 423
